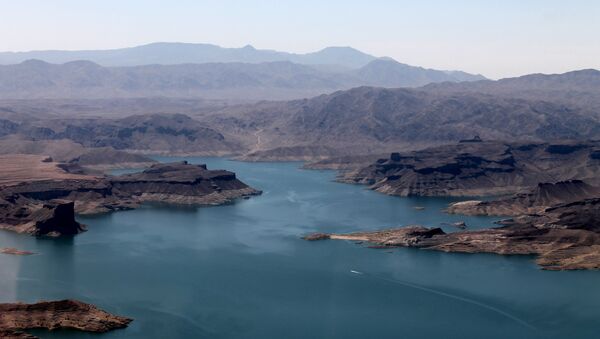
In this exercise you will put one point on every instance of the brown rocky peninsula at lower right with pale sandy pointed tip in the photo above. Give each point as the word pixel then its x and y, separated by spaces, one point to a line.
pixel 564 237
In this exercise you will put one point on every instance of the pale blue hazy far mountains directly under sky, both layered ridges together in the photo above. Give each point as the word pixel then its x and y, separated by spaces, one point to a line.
pixel 204 71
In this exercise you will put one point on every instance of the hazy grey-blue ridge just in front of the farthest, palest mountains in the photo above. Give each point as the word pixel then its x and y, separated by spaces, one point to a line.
pixel 270 80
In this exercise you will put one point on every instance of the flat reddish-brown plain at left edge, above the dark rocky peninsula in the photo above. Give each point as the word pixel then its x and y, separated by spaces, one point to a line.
pixel 17 168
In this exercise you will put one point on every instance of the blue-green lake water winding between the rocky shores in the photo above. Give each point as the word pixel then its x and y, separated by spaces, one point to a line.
pixel 242 271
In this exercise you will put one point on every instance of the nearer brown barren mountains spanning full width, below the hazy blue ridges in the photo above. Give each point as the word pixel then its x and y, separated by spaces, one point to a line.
pixel 362 120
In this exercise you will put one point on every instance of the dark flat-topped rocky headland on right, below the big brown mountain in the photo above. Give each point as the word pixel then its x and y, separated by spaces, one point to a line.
pixel 479 168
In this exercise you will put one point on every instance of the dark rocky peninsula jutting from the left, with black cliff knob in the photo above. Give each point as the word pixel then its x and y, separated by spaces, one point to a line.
pixel 47 207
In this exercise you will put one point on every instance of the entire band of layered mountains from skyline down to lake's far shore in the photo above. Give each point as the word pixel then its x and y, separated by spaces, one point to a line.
pixel 344 102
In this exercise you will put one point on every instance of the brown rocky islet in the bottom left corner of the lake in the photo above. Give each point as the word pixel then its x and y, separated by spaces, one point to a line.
pixel 53 315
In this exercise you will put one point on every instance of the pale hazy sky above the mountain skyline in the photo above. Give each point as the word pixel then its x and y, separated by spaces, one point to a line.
pixel 495 38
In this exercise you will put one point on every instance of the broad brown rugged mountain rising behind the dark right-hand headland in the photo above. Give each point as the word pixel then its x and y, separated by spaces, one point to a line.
pixel 375 120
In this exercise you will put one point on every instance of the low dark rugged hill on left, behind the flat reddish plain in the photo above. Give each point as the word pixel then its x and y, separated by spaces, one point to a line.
pixel 157 133
